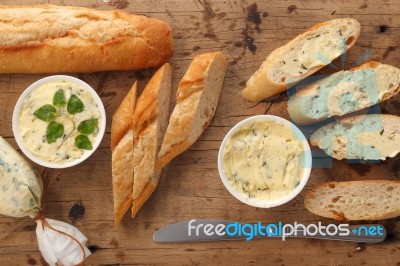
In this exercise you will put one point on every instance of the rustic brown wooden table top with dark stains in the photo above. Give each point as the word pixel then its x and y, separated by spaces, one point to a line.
pixel 190 186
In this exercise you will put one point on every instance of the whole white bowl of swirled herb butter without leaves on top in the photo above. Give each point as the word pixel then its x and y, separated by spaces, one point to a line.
pixel 264 161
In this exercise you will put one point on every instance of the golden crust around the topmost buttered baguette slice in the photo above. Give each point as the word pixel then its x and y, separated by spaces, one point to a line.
pixel 260 86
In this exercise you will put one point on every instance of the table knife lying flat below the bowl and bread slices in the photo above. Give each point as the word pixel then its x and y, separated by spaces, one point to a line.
pixel 197 230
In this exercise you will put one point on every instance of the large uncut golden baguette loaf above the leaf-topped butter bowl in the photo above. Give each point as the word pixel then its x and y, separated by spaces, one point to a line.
pixel 49 38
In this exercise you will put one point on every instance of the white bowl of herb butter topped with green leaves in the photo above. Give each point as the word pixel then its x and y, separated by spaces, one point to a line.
pixel 59 121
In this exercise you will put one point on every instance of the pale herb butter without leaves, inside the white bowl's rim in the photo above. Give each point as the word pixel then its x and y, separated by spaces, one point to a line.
pixel 263 160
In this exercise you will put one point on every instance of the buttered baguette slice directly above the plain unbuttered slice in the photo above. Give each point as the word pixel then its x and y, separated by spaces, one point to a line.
pixel 365 137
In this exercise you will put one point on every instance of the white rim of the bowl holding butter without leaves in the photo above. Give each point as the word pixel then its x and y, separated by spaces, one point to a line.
pixel 275 202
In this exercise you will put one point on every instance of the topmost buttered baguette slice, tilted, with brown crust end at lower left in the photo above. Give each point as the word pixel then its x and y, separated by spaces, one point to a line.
pixel 301 57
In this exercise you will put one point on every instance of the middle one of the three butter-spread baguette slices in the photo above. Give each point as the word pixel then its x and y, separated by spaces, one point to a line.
pixel 344 92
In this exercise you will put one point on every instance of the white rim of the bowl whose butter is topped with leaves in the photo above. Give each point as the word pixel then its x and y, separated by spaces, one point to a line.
pixel 20 102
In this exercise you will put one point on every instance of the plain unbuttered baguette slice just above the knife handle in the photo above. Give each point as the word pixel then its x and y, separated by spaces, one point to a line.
pixel 355 200
